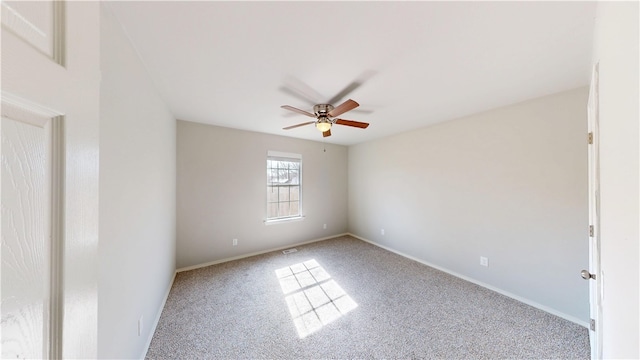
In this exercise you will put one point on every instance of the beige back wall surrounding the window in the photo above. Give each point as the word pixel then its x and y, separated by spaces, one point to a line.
pixel 222 193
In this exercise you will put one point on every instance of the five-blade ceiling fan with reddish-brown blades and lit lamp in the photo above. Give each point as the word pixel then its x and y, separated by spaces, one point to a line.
pixel 326 114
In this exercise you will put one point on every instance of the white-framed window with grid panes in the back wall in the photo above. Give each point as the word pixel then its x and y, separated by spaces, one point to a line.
pixel 284 185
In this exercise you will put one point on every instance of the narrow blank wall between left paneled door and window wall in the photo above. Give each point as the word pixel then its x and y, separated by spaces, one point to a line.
pixel 137 199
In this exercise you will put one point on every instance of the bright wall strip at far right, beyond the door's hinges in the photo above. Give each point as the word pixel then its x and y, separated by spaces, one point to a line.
pixel 616 50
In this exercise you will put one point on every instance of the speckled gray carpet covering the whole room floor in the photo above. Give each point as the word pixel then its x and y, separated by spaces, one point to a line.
pixel 346 299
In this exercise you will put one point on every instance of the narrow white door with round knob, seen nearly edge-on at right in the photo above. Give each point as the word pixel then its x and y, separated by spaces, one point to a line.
pixel 594 275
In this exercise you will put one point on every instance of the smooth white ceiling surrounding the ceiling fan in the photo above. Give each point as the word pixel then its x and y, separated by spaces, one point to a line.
pixel 233 64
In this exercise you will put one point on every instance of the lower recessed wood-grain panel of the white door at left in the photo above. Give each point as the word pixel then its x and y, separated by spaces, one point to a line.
pixel 26 246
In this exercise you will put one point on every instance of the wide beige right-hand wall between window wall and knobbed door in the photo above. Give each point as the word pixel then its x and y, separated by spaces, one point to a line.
pixel 509 184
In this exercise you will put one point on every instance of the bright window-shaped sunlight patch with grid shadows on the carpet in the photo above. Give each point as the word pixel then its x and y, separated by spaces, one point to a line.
pixel 313 298
